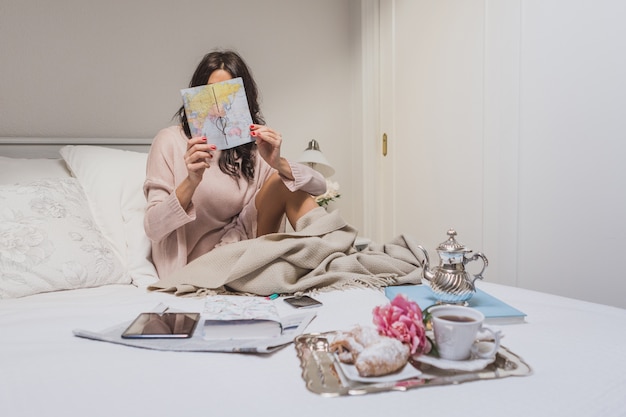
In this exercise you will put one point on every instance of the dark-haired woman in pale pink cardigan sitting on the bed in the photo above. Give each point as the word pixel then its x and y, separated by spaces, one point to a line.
pixel 200 197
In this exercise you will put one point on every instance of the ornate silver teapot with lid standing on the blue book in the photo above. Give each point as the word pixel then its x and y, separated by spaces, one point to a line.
pixel 450 282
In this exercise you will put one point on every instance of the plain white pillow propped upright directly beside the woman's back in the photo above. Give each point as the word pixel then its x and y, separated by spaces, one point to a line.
pixel 113 181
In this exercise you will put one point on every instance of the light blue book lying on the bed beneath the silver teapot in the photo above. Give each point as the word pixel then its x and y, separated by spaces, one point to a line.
pixel 495 310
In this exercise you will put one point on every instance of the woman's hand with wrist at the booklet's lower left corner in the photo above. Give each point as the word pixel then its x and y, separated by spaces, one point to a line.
pixel 197 160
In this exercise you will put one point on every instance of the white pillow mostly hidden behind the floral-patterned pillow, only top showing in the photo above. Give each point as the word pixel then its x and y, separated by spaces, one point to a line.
pixel 18 170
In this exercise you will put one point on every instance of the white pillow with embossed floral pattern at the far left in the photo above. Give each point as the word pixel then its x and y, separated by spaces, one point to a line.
pixel 49 241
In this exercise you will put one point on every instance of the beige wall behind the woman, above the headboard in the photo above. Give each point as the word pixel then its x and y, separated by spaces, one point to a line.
pixel 113 69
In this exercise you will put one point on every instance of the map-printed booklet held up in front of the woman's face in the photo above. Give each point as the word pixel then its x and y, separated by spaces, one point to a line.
pixel 220 112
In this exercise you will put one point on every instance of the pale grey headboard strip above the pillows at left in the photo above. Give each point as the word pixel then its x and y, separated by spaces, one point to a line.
pixel 29 147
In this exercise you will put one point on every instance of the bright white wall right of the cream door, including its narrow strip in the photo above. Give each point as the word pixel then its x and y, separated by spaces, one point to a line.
pixel 554 144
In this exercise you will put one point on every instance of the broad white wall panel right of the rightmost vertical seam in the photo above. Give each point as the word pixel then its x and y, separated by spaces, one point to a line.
pixel 572 193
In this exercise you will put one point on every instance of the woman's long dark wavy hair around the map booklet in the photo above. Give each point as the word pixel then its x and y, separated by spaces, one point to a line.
pixel 231 62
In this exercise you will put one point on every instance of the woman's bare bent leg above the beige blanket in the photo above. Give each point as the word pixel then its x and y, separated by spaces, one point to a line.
pixel 275 200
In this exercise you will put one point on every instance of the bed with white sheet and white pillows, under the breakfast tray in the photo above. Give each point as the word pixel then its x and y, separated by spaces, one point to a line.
pixel 575 348
